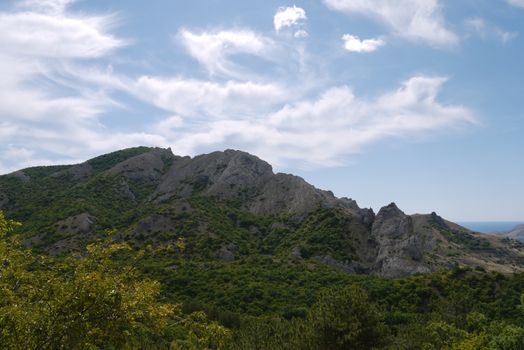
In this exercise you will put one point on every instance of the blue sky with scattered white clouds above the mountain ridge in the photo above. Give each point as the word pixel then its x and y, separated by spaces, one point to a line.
pixel 418 102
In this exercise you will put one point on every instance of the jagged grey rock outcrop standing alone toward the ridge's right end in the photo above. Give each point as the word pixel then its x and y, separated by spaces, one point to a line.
pixel 400 249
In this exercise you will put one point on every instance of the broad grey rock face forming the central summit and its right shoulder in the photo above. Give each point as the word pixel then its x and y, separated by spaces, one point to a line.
pixel 236 175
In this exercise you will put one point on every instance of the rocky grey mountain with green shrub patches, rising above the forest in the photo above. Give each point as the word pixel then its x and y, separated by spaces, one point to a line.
pixel 230 206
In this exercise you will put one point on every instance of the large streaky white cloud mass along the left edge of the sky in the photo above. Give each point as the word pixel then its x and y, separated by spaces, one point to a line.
pixel 39 109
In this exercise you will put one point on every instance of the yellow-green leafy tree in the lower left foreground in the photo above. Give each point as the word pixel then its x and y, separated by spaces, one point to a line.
pixel 88 302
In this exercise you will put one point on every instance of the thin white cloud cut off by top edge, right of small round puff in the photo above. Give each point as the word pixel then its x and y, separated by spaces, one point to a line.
pixel 419 20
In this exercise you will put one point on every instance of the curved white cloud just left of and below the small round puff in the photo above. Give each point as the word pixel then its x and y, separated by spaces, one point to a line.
pixel 214 49
